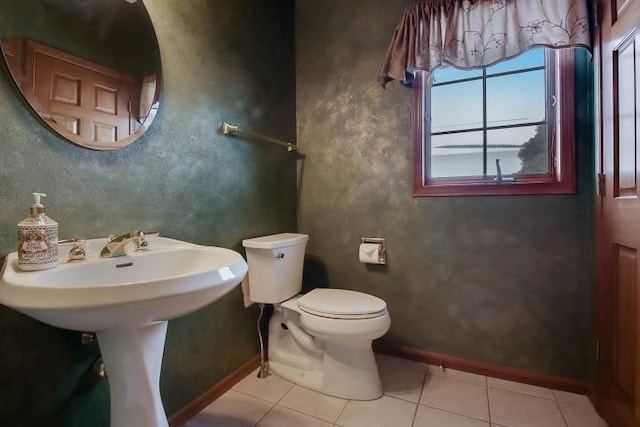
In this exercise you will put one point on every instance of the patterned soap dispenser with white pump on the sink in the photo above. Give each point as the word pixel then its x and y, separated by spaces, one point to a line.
pixel 37 239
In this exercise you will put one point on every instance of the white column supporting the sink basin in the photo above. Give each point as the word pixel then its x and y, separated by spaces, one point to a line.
pixel 132 359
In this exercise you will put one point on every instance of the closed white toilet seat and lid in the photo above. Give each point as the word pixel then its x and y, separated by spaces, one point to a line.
pixel 341 304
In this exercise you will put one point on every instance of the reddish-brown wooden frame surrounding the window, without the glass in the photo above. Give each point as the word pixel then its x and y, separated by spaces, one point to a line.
pixel 560 180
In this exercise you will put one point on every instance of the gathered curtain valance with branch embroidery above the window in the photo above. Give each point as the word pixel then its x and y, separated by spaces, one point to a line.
pixel 477 33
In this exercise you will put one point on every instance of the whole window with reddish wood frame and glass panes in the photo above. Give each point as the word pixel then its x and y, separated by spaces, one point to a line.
pixel 503 129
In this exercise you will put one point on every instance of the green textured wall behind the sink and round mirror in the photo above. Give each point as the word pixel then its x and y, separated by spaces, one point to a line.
pixel 181 178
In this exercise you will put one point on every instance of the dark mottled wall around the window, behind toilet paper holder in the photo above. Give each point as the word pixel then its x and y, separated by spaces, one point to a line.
pixel 505 280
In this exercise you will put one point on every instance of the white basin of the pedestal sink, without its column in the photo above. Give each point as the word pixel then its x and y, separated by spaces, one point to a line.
pixel 172 278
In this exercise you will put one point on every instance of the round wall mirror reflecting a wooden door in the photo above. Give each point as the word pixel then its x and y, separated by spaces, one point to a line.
pixel 90 69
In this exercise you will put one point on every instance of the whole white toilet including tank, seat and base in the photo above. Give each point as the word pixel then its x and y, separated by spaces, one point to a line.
pixel 320 340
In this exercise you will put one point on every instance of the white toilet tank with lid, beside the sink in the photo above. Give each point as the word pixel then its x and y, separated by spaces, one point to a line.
pixel 275 266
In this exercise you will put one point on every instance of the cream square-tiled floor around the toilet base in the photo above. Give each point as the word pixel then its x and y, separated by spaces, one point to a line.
pixel 416 395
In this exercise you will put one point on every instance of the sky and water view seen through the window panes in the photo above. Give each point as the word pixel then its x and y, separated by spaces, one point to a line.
pixel 512 99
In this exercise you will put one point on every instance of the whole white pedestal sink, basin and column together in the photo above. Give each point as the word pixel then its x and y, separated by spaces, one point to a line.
pixel 127 301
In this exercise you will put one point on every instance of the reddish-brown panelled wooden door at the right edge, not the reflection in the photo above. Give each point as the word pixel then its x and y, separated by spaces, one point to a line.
pixel 618 211
